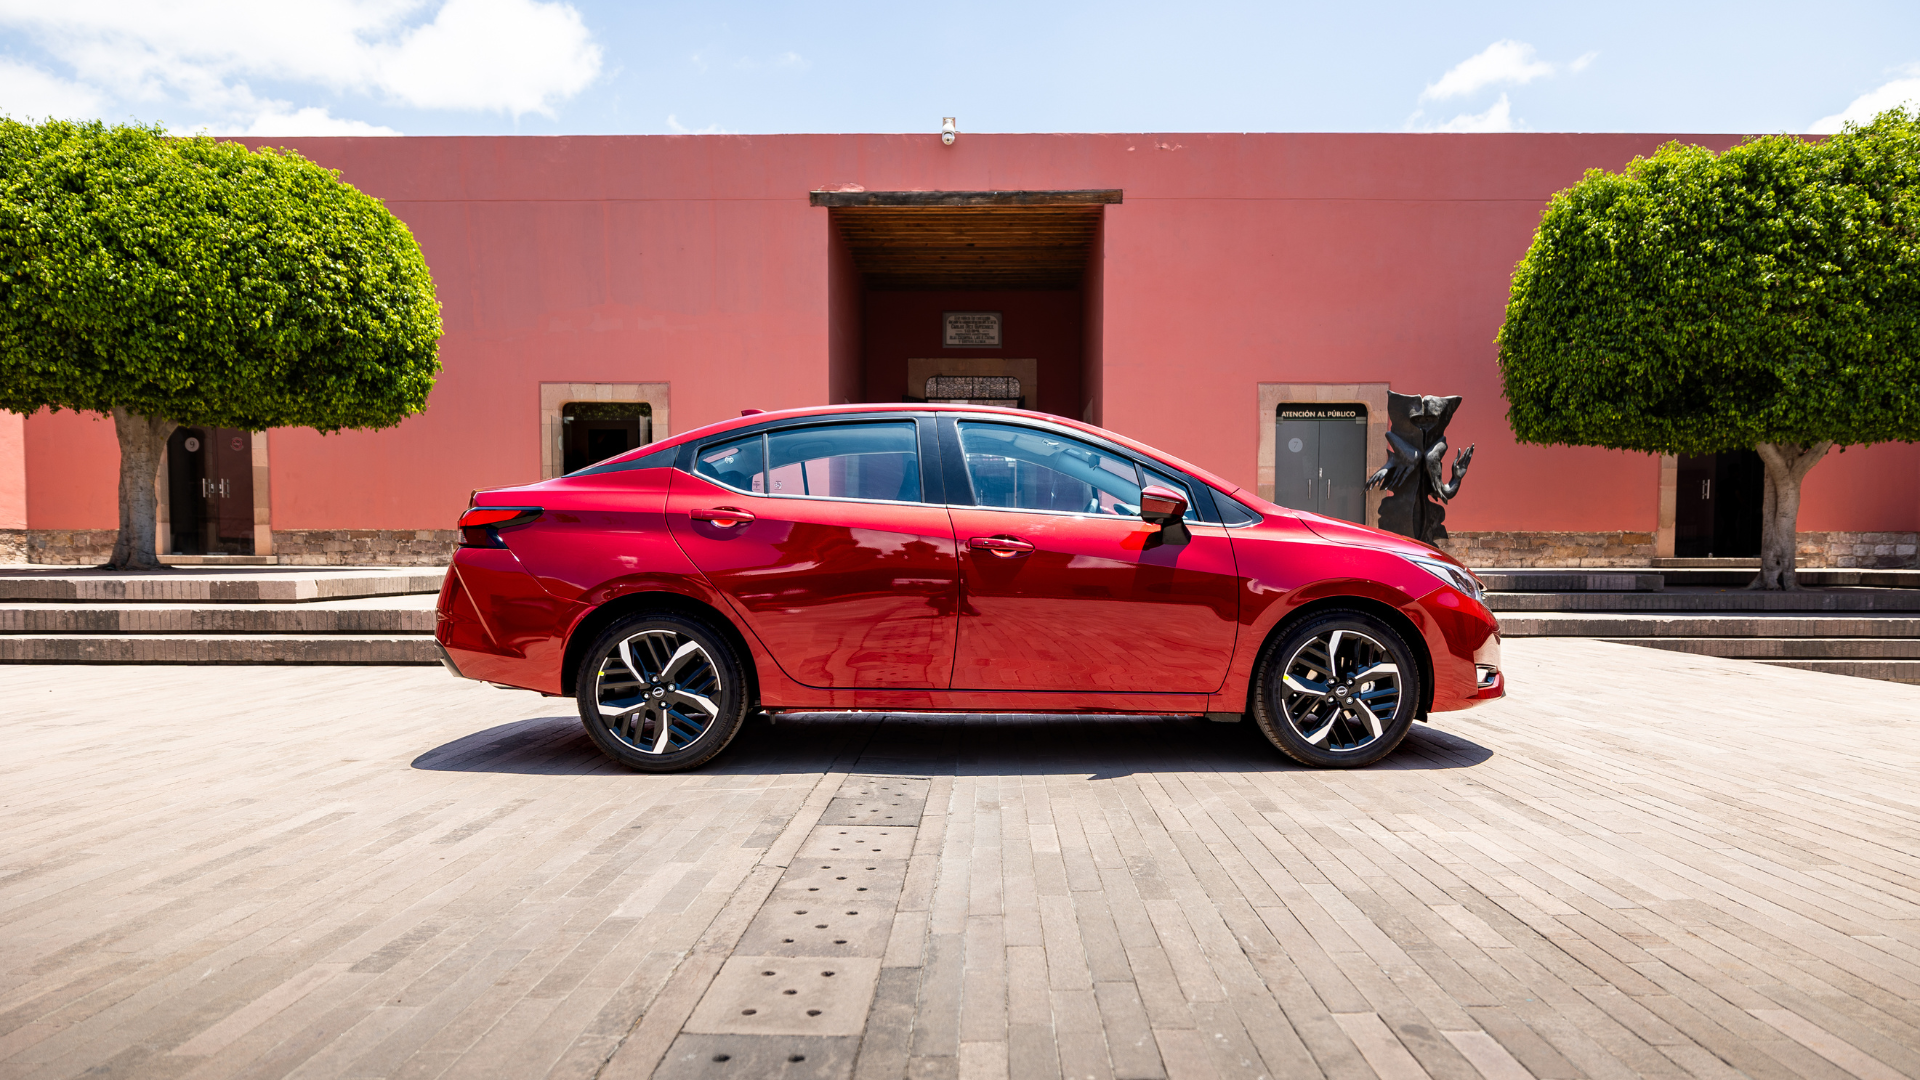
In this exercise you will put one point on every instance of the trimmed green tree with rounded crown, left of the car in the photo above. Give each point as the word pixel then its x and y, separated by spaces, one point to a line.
pixel 187 282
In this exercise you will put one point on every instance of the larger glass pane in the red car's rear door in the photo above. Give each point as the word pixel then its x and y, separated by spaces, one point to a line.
pixel 850 462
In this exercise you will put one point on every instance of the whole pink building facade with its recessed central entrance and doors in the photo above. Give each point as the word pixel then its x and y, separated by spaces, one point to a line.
pixel 1241 301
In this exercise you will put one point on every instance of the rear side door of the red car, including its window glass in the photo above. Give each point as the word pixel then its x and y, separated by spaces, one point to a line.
pixel 823 543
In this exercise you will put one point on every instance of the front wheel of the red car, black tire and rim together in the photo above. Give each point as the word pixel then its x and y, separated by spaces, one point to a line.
pixel 1341 722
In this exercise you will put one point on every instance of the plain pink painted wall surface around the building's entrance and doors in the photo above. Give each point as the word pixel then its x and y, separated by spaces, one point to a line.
pixel 698 260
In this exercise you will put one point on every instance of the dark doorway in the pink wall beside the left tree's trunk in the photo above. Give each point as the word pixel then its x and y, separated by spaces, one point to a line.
pixel 210 491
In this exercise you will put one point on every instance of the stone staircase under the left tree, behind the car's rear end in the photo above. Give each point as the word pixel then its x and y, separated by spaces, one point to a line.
pixel 220 616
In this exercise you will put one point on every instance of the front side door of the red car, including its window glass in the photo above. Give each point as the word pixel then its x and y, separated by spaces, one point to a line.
pixel 1061 589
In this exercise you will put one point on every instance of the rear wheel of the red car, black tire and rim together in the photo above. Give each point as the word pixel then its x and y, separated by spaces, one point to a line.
pixel 654 716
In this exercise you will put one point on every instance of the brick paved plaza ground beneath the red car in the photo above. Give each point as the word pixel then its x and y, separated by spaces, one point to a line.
pixel 1644 864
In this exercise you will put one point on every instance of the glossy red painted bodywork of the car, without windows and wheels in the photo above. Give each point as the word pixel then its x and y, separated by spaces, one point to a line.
pixel 850 604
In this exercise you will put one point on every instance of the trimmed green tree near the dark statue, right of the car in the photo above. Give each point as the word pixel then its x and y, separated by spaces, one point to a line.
pixel 1696 303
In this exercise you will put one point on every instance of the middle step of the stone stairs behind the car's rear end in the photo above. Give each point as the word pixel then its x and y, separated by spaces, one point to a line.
pixel 360 616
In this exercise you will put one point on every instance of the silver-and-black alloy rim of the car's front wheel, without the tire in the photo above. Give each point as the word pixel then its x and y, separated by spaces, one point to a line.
pixel 1341 691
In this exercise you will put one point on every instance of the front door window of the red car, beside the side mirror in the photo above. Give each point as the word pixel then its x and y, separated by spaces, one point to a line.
pixel 1032 470
